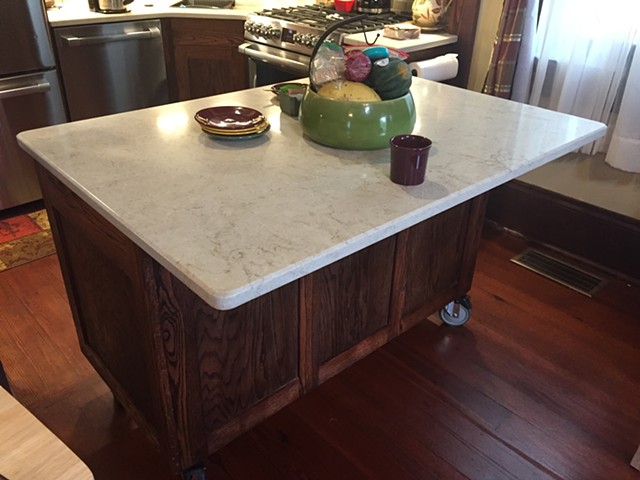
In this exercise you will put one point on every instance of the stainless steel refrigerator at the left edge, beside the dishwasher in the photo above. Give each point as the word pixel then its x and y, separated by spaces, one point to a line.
pixel 30 95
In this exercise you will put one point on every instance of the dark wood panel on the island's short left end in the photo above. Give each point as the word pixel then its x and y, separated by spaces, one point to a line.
pixel 102 274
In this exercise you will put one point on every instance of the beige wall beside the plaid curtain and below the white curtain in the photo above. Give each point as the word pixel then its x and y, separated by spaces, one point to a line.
pixel 585 178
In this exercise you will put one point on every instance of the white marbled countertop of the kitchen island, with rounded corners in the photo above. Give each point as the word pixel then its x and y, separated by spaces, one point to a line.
pixel 236 219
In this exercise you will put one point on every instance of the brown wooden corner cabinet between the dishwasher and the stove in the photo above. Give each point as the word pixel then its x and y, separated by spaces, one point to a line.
pixel 202 57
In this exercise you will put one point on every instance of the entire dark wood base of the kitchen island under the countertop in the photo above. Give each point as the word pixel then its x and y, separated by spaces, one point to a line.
pixel 195 377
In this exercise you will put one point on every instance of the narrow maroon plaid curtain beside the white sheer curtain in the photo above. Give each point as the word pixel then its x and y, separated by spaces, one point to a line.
pixel 499 79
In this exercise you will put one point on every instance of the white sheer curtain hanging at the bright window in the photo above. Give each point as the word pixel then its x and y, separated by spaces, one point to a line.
pixel 583 50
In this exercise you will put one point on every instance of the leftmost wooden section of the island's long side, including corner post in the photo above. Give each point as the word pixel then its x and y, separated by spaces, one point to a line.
pixel 227 370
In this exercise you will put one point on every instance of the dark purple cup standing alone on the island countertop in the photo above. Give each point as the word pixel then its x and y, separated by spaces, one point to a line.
pixel 409 154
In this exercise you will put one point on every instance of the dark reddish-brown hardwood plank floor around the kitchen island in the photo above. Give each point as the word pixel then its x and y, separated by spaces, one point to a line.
pixel 542 383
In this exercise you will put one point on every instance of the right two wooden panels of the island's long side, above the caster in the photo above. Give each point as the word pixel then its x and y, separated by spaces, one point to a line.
pixel 352 307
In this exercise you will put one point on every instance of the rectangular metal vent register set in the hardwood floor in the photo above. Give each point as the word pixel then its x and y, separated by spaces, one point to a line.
pixel 559 271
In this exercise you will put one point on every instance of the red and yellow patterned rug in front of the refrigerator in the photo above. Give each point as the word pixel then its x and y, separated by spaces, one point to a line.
pixel 25 238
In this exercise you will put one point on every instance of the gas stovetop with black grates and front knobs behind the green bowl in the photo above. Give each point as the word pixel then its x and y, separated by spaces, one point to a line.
pixel 297 29
